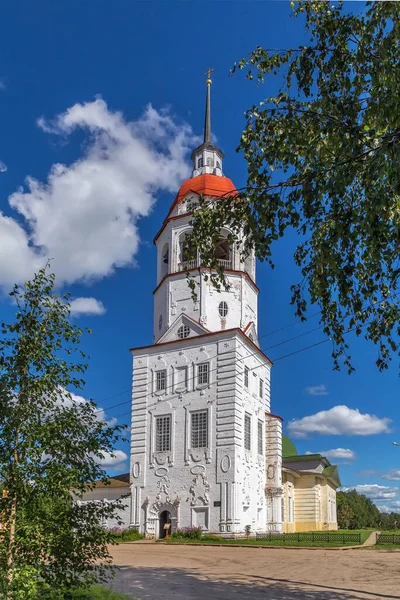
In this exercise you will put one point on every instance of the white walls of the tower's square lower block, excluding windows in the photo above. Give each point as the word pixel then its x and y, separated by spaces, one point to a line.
pixel 211 486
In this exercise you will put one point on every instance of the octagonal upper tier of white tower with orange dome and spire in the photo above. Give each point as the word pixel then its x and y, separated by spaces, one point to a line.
pixel 213 310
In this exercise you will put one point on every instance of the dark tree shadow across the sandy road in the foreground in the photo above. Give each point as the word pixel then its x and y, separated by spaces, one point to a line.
pixel 182 584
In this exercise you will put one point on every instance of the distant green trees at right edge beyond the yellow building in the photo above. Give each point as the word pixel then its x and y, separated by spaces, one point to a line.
pixel 356 511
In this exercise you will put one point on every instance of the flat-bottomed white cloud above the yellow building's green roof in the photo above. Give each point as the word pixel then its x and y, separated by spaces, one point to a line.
pixel 339 420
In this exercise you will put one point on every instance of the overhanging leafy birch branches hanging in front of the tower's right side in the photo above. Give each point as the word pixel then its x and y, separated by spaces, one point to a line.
pixel 323 156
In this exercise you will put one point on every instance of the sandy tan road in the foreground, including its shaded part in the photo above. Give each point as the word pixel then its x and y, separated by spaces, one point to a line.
pixel 160 572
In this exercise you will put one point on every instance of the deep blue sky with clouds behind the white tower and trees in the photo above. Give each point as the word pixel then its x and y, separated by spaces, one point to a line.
pixel 91 74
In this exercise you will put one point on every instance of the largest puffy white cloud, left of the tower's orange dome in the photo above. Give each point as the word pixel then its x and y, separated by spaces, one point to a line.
pixel 85 215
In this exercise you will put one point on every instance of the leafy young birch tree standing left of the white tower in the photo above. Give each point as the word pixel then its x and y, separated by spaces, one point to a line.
pixel 49 445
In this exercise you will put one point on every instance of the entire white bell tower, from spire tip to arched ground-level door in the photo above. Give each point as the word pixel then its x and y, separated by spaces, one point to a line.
pixel 201 392
